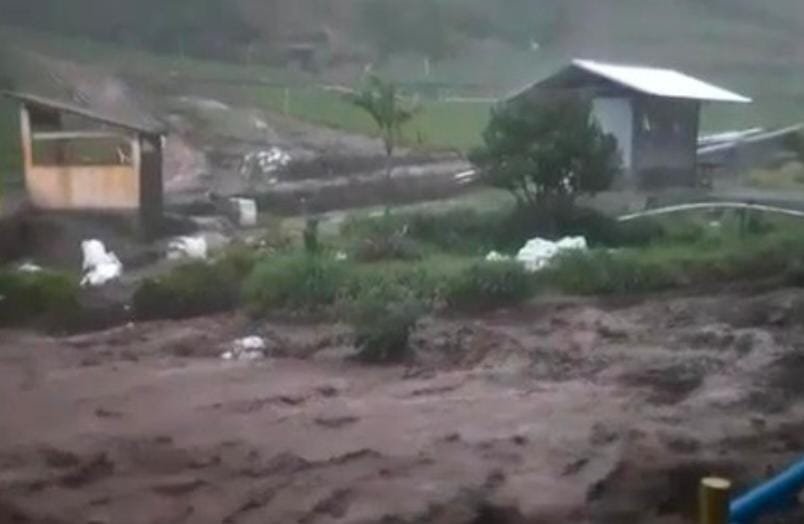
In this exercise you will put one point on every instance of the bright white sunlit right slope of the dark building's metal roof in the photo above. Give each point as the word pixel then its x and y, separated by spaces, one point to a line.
pixel 660 82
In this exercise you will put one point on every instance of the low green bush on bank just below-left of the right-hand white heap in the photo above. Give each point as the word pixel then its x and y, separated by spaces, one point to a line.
pixel 487 285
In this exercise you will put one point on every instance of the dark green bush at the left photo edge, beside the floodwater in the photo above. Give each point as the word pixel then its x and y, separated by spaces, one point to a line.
pixel 45 297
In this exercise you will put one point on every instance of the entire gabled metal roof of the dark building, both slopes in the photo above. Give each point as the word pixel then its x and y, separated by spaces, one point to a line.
pixel 653 81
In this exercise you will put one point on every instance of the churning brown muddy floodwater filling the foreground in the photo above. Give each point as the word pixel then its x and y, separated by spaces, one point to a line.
pixel 575 412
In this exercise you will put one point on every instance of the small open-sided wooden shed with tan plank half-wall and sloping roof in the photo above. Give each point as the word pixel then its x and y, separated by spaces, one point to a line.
pixel 77 160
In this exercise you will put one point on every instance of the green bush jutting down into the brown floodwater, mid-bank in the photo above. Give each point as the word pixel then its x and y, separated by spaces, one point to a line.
pixel 383 319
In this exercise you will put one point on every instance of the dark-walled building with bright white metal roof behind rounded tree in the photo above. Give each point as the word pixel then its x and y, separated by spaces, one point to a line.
pixel 653 113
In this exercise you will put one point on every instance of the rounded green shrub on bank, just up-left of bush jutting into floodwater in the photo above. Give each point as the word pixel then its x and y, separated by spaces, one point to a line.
pixel 296 282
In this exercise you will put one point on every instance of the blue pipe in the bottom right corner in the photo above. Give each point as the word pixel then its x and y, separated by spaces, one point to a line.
pixel 774 495
